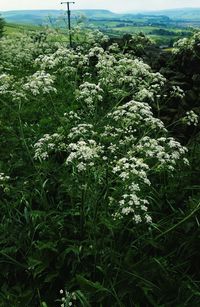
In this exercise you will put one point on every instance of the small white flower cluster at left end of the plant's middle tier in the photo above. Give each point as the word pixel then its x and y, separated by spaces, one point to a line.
pixel 47 144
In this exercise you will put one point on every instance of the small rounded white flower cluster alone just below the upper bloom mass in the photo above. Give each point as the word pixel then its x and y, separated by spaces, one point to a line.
pixel 89 95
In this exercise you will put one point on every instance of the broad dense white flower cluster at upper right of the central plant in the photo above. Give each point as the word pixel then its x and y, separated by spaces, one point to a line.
pixel 124 76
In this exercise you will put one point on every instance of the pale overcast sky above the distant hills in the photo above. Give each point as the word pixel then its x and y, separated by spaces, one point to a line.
pixel 114 5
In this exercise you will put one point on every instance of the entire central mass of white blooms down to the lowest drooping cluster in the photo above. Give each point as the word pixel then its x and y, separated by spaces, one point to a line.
pixel 128 142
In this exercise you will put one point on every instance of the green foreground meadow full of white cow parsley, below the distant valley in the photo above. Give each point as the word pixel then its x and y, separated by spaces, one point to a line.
pixel 99 170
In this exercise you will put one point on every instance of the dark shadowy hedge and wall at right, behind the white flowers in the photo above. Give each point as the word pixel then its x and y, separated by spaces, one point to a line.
pixel 180 69
